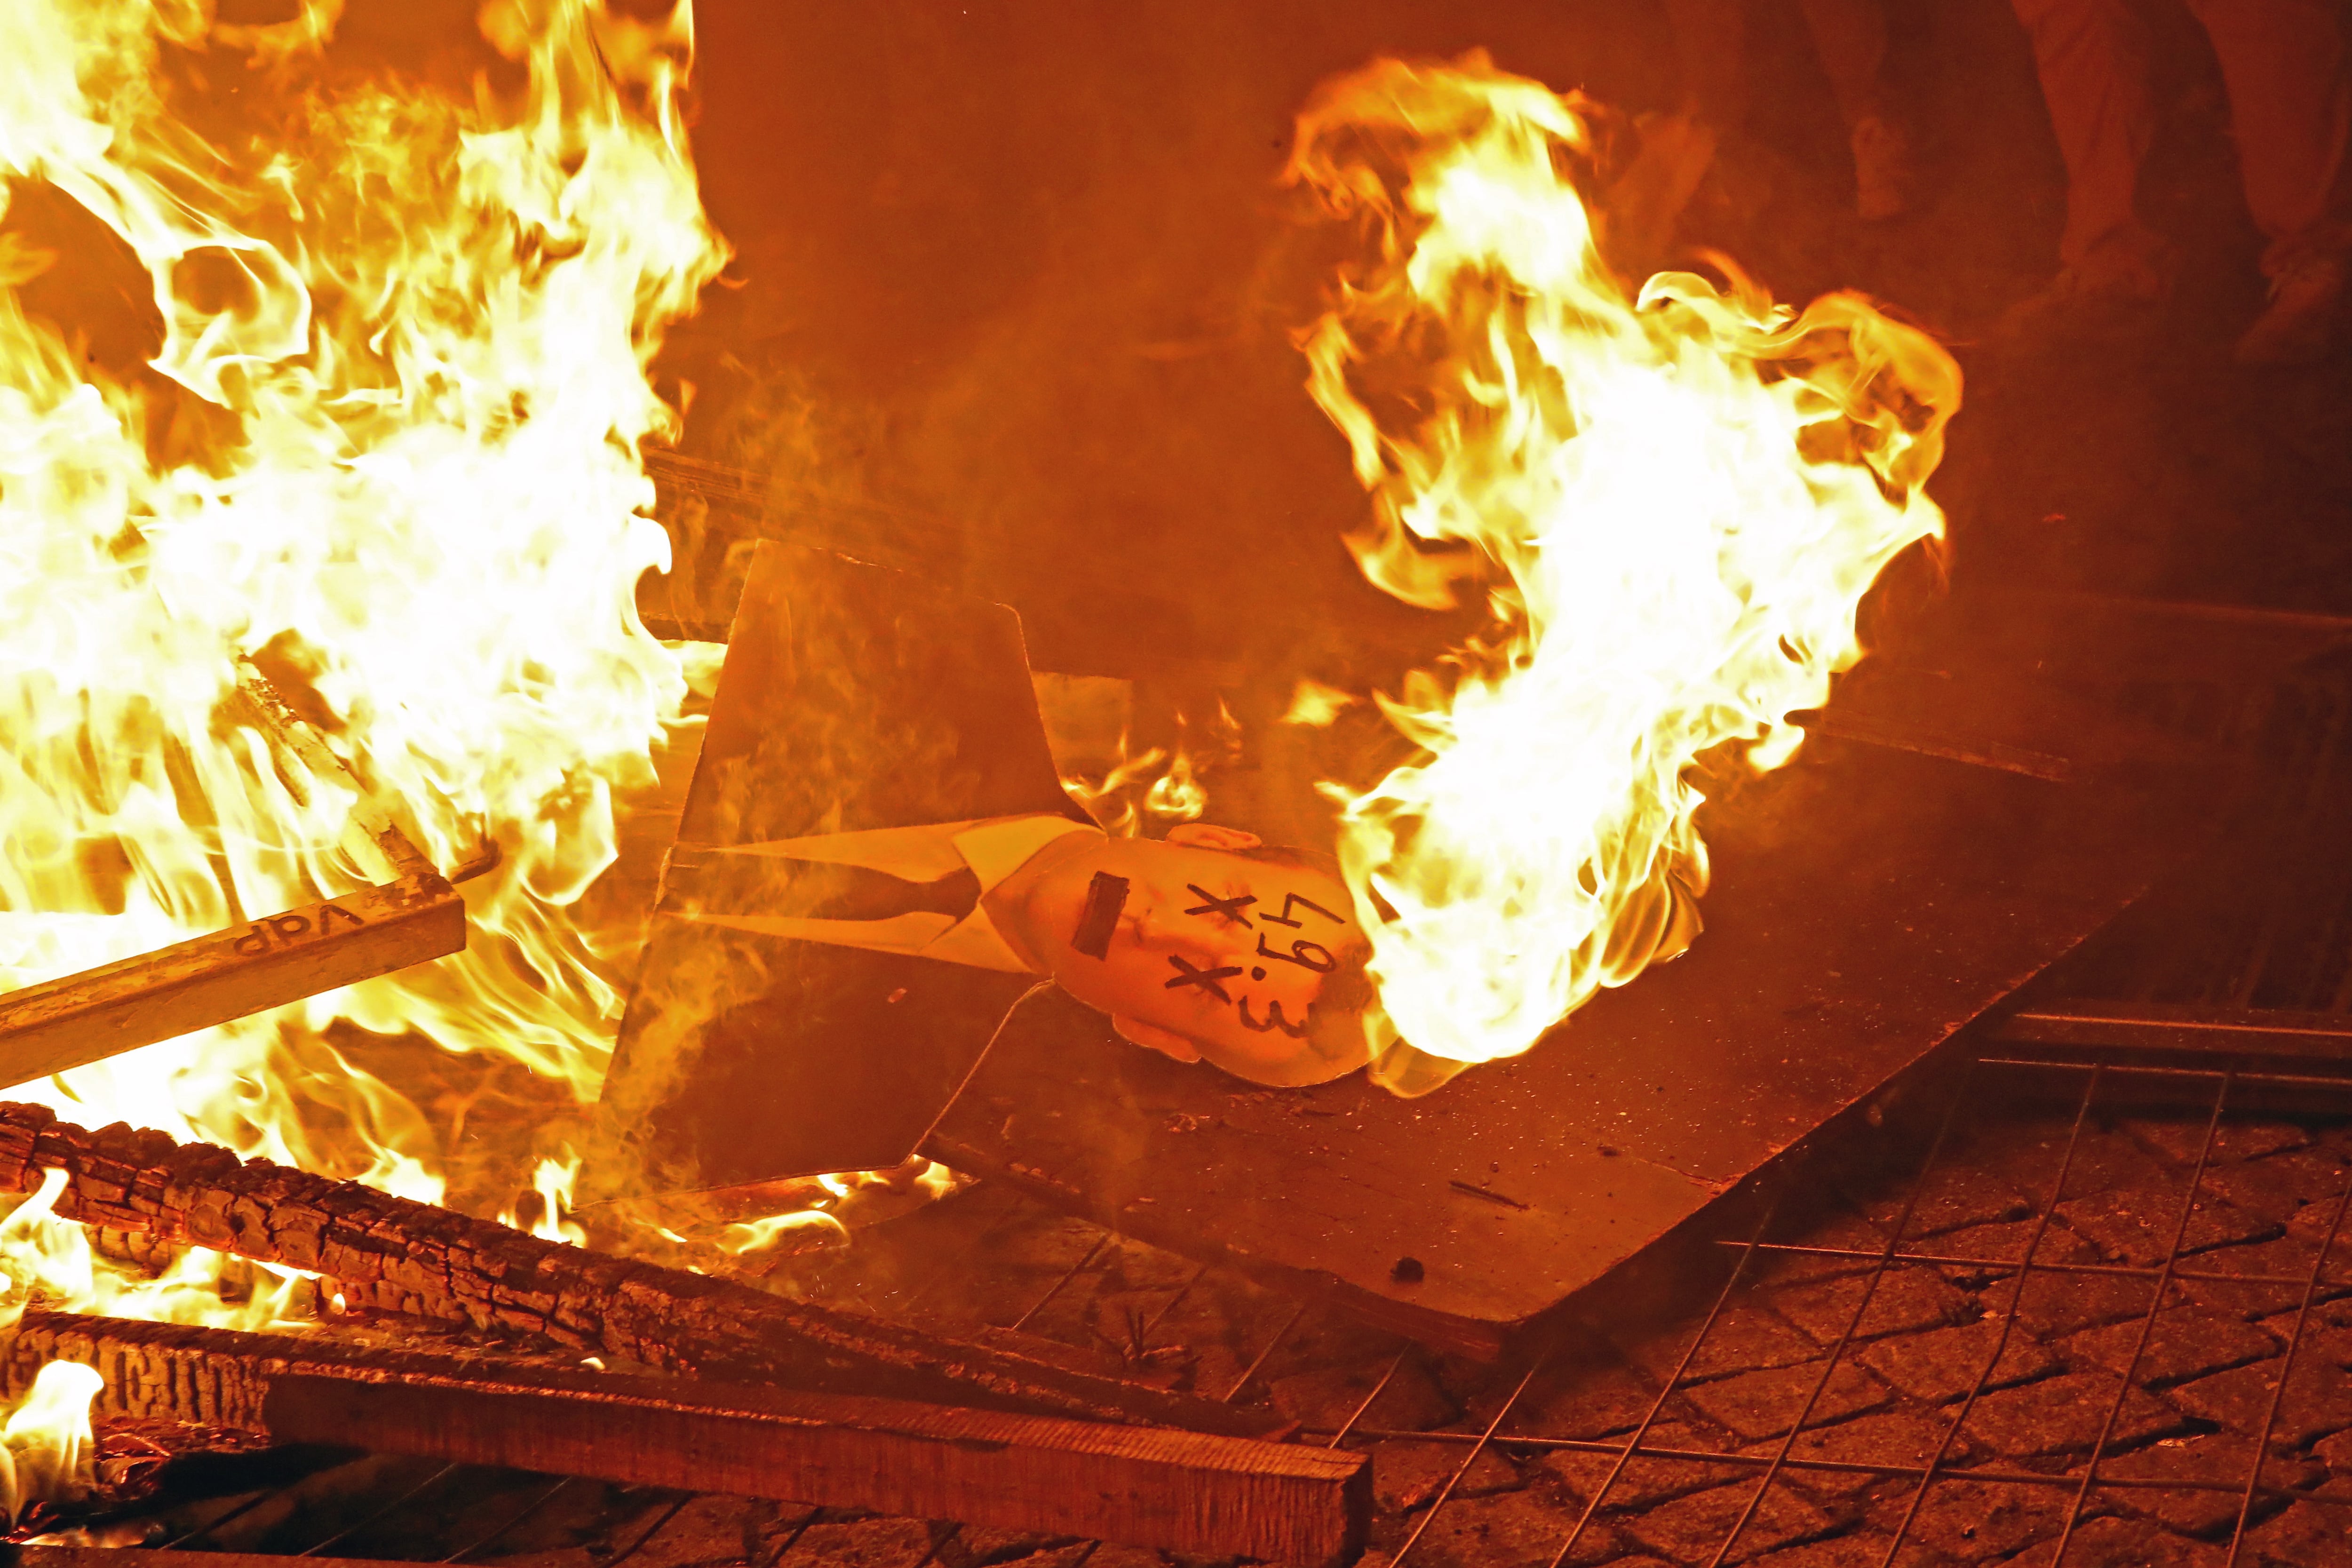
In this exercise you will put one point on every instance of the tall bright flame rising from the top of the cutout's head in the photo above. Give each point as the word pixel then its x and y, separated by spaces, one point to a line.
pixel 1669 497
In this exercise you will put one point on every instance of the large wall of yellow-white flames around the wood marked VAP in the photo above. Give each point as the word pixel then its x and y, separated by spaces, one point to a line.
pixel 389 448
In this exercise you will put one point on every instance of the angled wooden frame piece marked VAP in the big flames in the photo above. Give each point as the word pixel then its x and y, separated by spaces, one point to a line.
pixel 255 965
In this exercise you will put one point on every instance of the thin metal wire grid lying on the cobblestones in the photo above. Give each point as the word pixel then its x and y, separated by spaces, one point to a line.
pixel 2083 1487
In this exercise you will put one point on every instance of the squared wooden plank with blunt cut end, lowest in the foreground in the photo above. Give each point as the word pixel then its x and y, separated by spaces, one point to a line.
pixel 1149 1487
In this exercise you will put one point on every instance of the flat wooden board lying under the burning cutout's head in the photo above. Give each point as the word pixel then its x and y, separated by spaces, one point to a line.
pixel 1866 906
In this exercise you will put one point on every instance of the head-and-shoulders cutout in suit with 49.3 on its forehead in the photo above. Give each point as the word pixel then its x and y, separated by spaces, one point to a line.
pixel 876 862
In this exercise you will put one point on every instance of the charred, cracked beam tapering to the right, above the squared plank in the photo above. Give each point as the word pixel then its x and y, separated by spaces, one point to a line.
pixel 413 1259
